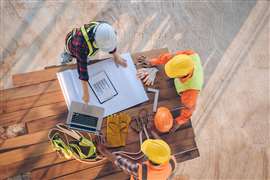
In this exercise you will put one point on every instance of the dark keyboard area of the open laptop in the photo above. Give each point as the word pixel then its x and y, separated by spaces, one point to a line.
pixel 85 120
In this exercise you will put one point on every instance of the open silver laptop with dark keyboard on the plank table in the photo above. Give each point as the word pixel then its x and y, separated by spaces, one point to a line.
pixel 84 117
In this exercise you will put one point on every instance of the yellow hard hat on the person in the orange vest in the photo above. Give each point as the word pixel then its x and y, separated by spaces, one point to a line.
pixel 156 150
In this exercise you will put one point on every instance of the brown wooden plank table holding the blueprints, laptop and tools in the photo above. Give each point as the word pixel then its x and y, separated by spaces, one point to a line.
pixel 37 101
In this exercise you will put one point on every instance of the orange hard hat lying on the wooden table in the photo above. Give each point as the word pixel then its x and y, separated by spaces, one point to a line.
pixel 163 120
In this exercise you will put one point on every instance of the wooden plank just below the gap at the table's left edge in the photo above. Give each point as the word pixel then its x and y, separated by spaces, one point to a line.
pixel 24 140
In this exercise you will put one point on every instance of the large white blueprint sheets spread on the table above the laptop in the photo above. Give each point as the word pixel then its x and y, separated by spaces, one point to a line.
pixel 111 87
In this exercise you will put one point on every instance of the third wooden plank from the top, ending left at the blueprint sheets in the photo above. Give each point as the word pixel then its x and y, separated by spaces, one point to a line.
pixel 33 101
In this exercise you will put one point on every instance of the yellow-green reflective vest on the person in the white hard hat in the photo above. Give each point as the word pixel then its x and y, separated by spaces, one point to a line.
pixel 90 43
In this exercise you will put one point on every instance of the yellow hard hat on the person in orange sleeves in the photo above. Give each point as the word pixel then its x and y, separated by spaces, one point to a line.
pixel 179 66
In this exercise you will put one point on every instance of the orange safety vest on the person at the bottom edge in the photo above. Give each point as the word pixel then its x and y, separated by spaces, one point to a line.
pixel 147 171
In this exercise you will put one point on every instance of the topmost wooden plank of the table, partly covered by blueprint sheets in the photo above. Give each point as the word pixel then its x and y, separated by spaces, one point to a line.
pixel 50 73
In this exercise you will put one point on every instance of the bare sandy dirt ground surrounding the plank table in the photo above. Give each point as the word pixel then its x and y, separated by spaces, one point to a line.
pixel 232 118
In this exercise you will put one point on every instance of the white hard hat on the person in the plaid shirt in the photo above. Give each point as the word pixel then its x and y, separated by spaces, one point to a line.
pixel 105 37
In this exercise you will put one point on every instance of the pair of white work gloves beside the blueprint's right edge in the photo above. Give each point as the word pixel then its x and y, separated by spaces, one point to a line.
pixel 147 75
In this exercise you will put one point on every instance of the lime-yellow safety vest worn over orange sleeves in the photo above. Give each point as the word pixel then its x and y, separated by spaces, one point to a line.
pixel 196 81
